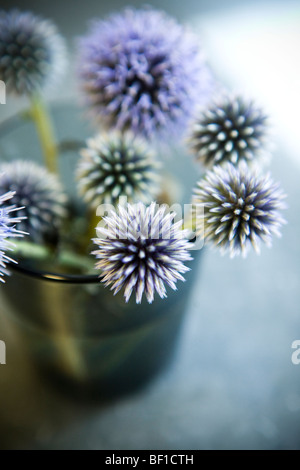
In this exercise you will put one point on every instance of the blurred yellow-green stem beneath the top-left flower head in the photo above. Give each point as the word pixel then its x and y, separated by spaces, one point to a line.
pixel 45 131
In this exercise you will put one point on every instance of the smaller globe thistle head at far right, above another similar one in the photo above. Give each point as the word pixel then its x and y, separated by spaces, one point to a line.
pixel 231 129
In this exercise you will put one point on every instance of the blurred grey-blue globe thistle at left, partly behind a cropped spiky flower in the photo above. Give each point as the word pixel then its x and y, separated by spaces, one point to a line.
pixel 41 194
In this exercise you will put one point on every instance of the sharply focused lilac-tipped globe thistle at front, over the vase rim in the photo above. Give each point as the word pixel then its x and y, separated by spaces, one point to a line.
pixel 141 250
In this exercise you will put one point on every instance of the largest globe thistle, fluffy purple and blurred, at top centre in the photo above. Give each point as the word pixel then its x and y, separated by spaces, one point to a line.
pixel 142 71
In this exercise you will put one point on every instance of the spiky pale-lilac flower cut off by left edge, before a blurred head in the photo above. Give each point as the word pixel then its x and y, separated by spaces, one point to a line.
pixel 8 221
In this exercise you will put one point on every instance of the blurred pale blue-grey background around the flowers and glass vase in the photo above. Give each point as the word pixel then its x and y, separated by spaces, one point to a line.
pixel 233 384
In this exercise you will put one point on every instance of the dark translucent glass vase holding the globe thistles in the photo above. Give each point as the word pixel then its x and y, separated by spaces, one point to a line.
pixel 79 335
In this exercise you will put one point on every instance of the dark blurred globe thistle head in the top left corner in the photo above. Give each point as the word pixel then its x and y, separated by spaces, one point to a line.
pixel 32 52
